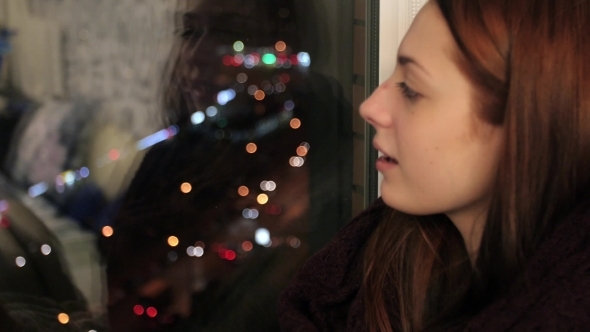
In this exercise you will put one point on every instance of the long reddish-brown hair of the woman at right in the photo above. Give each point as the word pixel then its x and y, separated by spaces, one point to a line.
pixel 529 62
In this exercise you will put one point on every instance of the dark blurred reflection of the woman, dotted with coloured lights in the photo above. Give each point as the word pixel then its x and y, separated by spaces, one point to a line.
pixel 219 217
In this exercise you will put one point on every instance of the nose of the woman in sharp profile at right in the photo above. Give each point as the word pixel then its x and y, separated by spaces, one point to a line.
pixel 377 109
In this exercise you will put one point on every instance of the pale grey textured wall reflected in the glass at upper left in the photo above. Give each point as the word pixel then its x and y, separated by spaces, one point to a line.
pixel 115 51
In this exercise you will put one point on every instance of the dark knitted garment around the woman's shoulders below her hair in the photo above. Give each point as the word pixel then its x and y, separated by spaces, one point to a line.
pixel 324 295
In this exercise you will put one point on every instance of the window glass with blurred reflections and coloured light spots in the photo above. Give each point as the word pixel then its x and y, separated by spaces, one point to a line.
pixel 168 165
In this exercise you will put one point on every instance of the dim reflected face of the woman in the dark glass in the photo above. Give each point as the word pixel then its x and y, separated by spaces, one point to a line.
pixel 211 30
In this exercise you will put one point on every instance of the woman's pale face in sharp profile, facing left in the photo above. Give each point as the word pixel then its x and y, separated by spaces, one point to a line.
pixel 439 156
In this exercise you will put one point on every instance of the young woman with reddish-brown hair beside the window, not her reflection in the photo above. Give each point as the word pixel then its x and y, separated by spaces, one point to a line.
pixel 484 220
